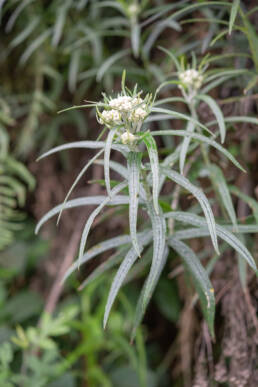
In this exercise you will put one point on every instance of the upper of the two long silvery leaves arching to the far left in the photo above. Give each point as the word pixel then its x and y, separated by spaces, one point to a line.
pixel 83 144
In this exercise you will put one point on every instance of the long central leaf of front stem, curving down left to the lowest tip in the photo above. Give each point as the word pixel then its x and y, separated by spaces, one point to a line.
pixel 158 262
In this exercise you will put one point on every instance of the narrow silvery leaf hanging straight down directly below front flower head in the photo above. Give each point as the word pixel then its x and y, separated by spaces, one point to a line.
pixel 134 165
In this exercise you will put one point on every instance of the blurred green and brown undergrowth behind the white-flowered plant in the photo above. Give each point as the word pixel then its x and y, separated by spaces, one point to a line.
pixel 55 54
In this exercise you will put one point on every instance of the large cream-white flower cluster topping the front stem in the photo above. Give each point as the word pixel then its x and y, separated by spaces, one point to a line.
pixel 130 109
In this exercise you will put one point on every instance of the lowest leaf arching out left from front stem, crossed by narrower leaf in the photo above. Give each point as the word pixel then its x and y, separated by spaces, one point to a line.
pixel 98 249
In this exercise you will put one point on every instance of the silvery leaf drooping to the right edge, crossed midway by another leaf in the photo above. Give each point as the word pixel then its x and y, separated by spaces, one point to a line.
pixel 222 232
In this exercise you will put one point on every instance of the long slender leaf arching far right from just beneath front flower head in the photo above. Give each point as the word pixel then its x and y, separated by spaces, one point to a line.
pixel 183 133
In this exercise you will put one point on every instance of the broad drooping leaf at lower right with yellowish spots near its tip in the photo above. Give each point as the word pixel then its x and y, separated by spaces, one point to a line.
pixel 200 279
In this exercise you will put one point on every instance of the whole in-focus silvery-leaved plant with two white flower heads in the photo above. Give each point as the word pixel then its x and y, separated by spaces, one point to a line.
pixel 126 118
